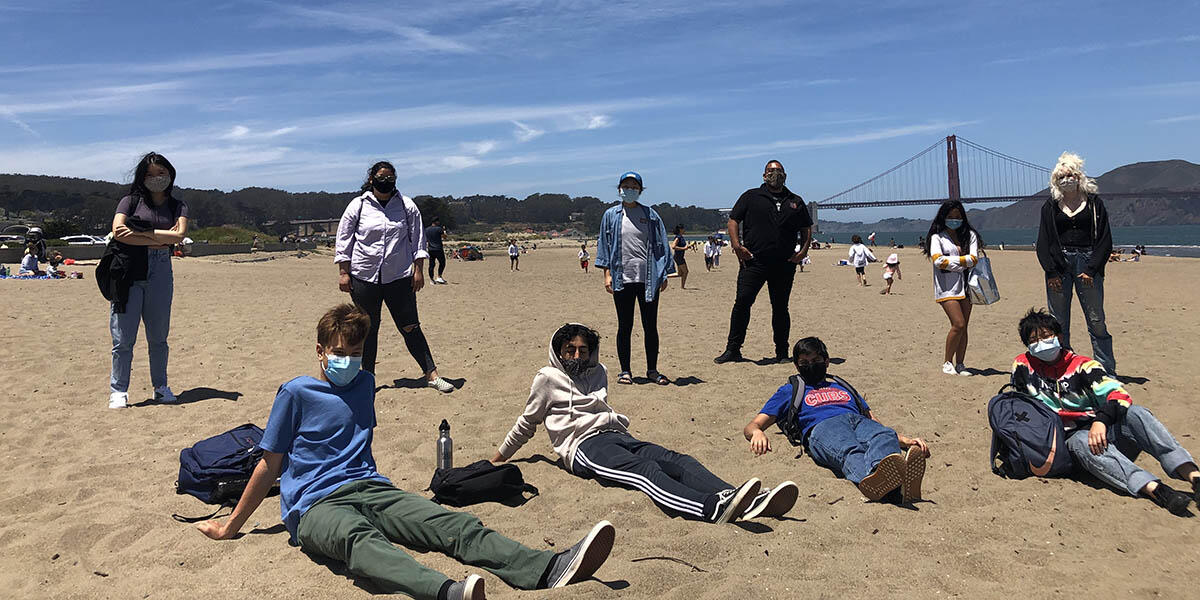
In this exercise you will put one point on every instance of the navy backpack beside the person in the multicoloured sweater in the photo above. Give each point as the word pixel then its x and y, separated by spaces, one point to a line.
pixel 1027 436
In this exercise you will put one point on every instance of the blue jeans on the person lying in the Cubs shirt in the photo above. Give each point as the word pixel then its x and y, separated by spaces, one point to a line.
pixel 851 445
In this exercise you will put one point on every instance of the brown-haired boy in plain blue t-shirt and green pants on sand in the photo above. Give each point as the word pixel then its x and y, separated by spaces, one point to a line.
pixel 337 505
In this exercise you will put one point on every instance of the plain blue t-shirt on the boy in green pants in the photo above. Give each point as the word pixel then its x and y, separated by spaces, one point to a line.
pixel 326 434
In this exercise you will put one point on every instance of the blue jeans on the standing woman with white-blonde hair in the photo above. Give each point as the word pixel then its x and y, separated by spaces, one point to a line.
pixel 1091 301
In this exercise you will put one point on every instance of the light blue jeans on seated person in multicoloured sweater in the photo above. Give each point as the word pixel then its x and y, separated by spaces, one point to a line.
pixel 1139 431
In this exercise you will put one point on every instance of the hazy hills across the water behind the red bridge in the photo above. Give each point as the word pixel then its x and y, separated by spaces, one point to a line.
pixel 1174 176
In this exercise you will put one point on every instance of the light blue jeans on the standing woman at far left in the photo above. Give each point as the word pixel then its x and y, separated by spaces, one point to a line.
pixel 151 303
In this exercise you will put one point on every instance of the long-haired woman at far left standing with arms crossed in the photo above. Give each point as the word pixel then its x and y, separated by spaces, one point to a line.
pixel 147 224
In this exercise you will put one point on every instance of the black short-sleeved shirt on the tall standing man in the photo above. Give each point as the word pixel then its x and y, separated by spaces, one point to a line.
pixel 771 223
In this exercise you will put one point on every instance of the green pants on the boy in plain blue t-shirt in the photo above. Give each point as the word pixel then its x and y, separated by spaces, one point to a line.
pixel 359 523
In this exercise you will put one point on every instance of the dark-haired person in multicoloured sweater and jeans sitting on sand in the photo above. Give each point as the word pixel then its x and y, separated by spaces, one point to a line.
pixel 1105 430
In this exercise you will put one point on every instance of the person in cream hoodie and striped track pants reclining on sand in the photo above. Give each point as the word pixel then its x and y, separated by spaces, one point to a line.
pixel 569 397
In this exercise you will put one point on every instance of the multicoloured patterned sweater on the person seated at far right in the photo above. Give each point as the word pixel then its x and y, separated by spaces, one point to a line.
pixel 1075 386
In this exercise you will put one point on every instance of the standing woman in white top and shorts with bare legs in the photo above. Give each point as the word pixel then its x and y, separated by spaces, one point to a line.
pixel 955 249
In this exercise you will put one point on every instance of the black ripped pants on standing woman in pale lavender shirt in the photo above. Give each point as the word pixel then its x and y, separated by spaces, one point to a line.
pixel 403 305
